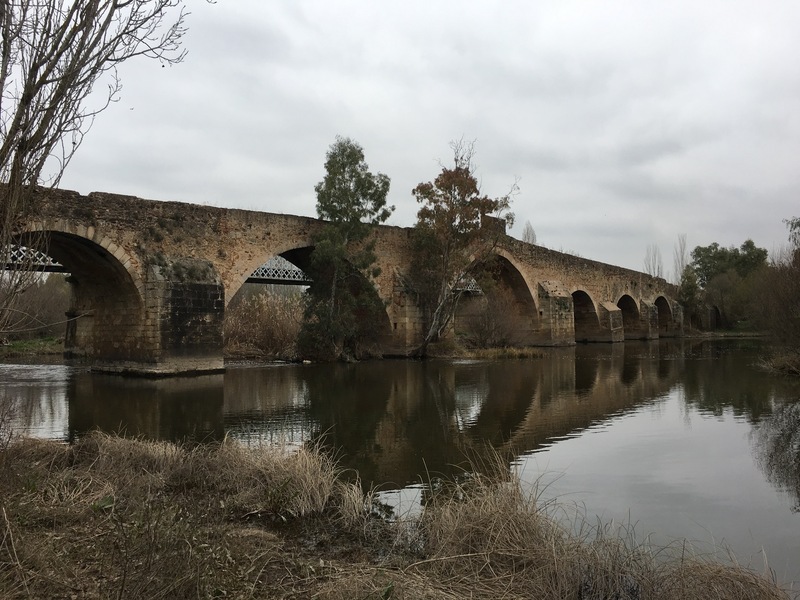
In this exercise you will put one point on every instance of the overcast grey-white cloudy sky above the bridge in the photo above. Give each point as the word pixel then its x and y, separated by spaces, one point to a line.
pixel 627 123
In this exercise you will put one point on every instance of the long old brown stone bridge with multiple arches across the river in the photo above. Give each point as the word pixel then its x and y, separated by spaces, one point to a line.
pixel 150 281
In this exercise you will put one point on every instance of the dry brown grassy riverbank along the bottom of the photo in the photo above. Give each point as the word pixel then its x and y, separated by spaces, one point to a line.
pixel 116 518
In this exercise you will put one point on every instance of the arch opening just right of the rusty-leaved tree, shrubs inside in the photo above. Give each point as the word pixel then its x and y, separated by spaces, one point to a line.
pixel 501 311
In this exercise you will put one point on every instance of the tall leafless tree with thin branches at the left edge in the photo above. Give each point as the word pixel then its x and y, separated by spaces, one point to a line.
pixel 53 56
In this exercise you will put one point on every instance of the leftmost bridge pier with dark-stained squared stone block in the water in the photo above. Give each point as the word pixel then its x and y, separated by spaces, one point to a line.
pixel 175 328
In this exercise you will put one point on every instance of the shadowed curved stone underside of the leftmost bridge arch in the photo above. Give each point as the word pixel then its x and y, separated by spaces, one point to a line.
pixel 106 309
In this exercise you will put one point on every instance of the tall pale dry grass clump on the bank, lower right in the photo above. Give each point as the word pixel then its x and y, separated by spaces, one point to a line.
pixel 489 539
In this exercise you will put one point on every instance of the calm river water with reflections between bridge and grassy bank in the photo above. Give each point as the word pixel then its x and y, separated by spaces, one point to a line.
pixel 672 439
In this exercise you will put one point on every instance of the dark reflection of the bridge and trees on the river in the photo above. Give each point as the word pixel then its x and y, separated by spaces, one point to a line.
pixel 394 421
